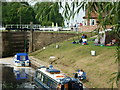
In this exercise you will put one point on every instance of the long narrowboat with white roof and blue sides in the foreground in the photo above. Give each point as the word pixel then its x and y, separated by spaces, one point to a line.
pixel 52 79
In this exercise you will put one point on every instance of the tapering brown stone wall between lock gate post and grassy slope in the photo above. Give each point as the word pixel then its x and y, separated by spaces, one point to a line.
pixel 41 39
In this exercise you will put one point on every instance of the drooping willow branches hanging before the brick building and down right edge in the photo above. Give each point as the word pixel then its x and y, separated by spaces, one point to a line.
pixel 111 11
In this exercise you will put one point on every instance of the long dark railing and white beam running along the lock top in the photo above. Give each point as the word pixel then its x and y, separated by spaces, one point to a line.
pixel 34 27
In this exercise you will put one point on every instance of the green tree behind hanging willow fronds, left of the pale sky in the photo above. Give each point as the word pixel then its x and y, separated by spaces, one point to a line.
pixel 48 12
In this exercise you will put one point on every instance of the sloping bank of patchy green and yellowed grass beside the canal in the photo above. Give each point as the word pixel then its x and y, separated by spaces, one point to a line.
pixel 70 57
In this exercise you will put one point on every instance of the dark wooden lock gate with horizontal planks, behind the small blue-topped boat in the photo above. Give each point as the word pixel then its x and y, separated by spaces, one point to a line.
pixel 13 42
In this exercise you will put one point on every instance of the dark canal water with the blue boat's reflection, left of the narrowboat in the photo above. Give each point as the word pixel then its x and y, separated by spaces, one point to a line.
pixel 16 78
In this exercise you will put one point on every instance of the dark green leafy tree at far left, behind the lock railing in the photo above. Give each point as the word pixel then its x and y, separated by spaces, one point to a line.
pixel 17 13
